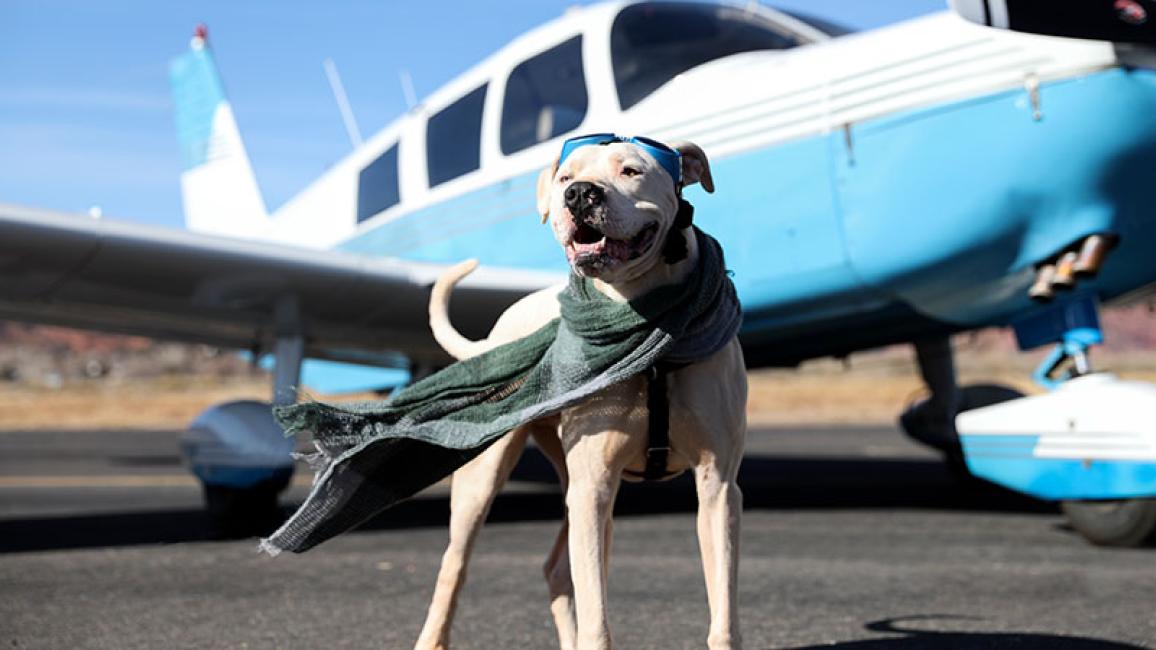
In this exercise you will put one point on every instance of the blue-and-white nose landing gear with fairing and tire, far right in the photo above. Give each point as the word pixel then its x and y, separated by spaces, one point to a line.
pixel 1087 444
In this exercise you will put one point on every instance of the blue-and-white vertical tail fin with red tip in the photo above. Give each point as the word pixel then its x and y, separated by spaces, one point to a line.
pixel 218 186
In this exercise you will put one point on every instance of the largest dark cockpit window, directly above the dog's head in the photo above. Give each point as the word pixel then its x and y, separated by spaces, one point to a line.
pixel 655 42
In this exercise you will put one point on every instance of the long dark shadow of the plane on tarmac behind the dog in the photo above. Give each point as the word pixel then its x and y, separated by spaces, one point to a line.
pixel 768 484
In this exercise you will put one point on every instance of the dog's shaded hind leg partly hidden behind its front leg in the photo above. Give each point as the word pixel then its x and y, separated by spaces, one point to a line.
pixel 557 568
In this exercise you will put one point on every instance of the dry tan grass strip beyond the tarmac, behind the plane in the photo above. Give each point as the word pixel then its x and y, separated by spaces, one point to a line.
pixel 872 390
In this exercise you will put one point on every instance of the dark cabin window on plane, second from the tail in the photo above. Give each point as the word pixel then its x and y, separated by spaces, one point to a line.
pixel 454 138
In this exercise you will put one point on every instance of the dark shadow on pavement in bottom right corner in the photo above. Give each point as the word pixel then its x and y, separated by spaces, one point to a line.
pixel 968 640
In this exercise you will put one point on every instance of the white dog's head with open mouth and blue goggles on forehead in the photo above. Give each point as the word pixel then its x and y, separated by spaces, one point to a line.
pixel 613 205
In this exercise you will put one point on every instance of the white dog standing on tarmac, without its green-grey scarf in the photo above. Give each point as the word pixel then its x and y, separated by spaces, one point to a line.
pixel 611 208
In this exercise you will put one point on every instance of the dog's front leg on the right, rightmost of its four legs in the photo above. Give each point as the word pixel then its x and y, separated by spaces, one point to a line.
pixel 720 515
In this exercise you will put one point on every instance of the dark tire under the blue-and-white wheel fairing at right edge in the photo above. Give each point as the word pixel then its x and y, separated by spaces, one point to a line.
pixel 1122 523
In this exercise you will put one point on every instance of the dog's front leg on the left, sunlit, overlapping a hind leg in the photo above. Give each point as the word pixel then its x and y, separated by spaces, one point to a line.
pixel 590 503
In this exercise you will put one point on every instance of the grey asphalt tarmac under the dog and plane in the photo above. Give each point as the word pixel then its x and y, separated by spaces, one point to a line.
pixel 853 538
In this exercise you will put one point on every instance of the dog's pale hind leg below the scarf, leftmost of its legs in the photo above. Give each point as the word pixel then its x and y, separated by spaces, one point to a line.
pixel 472 492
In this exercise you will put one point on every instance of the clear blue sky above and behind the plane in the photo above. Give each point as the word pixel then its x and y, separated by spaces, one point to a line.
pixel 86 117
